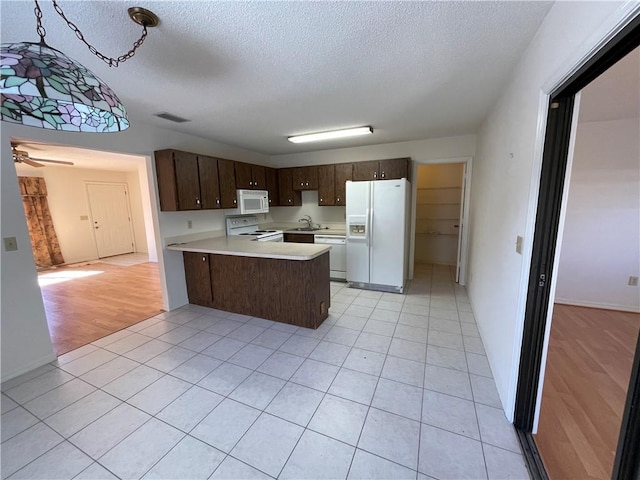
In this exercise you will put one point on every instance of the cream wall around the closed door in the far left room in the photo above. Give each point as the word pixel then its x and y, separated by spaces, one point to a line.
pixel 68 202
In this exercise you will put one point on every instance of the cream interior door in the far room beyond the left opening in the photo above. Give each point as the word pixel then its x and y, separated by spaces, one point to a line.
pixel 110 214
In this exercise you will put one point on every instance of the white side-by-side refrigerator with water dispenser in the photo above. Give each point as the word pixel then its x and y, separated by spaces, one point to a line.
pixel 378 234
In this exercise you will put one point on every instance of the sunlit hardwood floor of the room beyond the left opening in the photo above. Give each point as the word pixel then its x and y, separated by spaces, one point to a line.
pixel 89 306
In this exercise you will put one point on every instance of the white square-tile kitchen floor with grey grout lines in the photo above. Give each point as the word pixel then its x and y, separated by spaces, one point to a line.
pixel 390 386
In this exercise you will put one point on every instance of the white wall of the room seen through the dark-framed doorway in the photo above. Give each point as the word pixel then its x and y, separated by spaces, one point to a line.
pixel 600 247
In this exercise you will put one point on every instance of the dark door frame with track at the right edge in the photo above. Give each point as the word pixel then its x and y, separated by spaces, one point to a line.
pixel 552 180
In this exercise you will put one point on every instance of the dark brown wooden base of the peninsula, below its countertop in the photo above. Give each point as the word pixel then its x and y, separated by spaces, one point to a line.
pixel 287 291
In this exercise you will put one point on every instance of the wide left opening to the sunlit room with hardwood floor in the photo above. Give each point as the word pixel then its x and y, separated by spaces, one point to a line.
pixel 90 296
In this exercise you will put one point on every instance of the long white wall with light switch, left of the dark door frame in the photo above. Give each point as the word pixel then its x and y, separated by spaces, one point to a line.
pixel 506 177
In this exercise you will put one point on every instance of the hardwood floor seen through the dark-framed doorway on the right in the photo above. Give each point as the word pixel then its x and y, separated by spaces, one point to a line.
pixel 587 375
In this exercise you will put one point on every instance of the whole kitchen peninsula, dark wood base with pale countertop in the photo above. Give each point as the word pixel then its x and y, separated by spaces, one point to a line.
pixel 284 282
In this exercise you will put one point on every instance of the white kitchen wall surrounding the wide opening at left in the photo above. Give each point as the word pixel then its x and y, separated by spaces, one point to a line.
pixel 25 337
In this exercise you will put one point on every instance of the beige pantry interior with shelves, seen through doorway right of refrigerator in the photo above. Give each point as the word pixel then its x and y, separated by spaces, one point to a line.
pixel 439 194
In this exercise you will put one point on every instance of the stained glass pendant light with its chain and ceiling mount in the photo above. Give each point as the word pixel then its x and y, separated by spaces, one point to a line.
pixel 42 87
